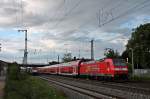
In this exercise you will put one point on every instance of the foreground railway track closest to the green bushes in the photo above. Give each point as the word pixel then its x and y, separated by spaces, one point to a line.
pixel 91 93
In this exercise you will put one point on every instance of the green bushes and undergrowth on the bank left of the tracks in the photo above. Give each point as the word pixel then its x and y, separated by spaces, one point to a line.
pixel 20 85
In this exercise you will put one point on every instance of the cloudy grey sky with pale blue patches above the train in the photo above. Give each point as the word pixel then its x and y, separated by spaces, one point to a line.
pixel 56 27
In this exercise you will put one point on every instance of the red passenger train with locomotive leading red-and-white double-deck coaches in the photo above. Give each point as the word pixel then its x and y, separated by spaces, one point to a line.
pixel 106 68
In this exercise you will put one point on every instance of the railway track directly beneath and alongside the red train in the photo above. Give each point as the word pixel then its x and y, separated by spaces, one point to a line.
pixel 116 85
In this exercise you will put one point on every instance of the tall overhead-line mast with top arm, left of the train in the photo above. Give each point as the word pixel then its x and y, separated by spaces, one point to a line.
pixel 25 50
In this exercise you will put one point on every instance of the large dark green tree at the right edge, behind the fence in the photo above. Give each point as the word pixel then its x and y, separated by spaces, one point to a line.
pixel 140 44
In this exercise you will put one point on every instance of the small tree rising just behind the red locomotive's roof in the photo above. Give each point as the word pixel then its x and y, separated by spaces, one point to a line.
pixel 110 53
